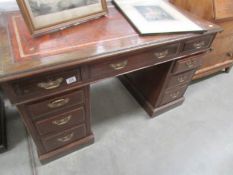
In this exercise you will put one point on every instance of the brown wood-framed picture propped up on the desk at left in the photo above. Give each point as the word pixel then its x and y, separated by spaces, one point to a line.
pixel 44 16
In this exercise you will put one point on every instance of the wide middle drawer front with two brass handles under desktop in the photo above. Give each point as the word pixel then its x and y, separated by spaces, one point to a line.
pixel 127 63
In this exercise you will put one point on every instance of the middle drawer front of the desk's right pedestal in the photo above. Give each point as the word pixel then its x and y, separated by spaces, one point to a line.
pixel 181 78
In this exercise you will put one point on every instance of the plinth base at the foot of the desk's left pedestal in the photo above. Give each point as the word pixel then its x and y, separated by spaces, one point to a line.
pixel 50 156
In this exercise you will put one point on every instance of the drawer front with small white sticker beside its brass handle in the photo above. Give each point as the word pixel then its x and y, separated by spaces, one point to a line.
pixel 47 83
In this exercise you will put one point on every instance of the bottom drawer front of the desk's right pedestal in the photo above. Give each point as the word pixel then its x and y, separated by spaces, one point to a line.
pixel 174 94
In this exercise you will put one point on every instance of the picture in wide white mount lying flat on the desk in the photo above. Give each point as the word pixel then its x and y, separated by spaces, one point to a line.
pixel 156 17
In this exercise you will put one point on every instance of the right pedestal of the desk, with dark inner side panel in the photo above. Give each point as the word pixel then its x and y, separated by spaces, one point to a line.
pixel 159 88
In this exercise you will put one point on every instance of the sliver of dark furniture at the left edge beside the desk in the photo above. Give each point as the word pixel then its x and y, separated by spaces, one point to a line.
pixel 3 137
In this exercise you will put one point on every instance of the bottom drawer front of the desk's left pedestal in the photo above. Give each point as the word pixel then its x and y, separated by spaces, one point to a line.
pixel 55 141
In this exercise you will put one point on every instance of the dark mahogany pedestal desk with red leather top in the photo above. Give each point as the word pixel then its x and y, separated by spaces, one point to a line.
pixel 48 78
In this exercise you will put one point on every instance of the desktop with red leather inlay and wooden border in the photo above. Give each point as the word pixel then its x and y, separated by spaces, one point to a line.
pixel 93 40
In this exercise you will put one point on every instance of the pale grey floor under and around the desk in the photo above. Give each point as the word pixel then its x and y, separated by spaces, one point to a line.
pixel 193 139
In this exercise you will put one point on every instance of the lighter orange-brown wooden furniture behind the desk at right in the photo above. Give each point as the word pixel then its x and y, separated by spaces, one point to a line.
pixel 221 13
